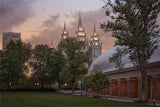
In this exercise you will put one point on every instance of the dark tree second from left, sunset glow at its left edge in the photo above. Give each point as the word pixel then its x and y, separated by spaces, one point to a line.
pixel 40 58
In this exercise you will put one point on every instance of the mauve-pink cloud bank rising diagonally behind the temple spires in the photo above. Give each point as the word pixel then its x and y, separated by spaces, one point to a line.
pixel 51 28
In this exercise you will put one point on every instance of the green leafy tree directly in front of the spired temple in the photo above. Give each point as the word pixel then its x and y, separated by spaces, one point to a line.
pixel 76 60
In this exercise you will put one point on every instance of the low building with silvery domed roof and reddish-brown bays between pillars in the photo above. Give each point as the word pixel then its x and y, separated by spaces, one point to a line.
pixel 128 82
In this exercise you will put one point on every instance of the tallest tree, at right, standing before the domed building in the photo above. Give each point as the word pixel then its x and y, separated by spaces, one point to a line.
pixel 133 24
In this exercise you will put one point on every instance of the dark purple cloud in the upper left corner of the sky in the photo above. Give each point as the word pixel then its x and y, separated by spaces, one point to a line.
pixel 14 13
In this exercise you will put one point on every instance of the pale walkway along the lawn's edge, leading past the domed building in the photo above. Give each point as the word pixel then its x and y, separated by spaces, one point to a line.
pixel 77 92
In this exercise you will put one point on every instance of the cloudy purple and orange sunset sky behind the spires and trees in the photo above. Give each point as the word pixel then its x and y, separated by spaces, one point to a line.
pixel 41 21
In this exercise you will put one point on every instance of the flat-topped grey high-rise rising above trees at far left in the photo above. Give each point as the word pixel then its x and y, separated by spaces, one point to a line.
pixel 7 36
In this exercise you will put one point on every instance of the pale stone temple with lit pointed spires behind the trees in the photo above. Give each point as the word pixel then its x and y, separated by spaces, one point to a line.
pixel 94 46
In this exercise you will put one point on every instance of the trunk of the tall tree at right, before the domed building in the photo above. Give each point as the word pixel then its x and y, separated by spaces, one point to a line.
pixel 142 63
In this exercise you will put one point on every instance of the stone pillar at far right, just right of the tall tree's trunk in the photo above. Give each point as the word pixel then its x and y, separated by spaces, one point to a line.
pixel 154 83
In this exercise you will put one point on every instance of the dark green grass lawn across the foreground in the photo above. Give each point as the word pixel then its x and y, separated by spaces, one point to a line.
pixel 51 99
